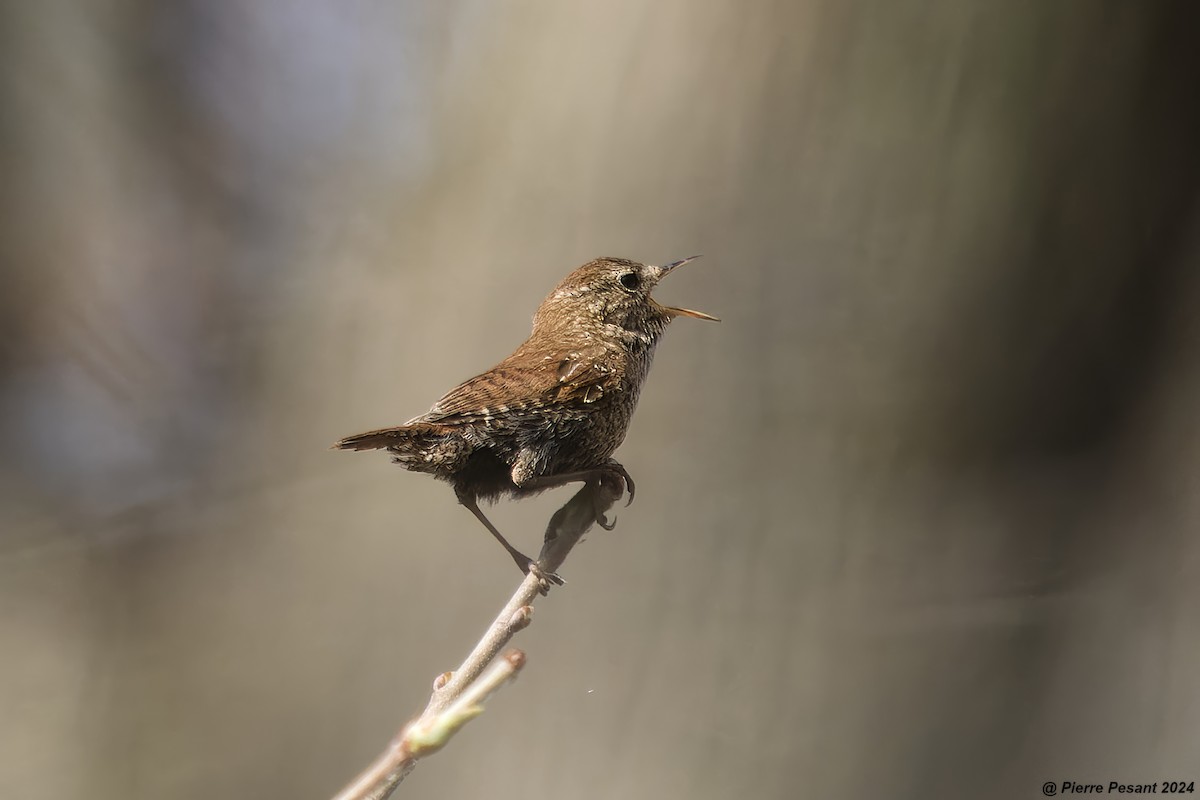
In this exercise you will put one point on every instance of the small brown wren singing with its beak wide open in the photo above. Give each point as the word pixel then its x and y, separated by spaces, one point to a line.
pixel 554 412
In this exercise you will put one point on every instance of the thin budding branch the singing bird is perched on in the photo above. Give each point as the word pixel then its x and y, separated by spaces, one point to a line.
pixel 458 696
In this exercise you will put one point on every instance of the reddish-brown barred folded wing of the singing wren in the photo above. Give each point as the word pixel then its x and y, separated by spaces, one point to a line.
pixel 521 387
